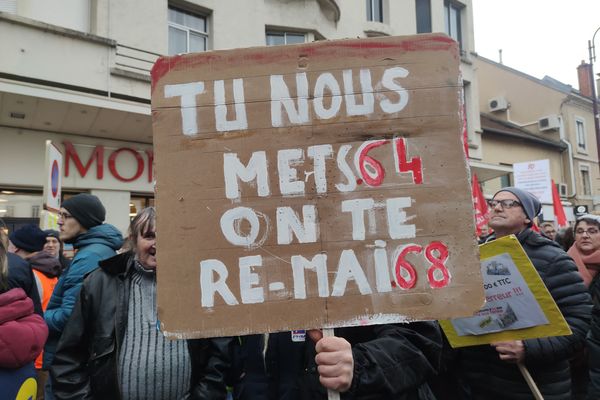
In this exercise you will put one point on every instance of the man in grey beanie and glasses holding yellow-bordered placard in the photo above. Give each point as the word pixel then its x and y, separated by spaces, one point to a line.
pixel 491 372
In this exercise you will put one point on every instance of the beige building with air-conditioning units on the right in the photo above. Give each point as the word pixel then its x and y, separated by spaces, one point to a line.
pixel 527 119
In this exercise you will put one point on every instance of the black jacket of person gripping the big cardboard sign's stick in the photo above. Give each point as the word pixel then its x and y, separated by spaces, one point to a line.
pixel 391 362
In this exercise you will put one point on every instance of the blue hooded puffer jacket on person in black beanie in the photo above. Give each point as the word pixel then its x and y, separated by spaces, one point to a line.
pixel 98 243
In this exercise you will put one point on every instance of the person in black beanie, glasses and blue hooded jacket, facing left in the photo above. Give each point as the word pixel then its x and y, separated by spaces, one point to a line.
pixel 81 224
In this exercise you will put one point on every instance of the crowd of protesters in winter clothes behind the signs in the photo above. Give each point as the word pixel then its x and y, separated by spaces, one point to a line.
pixel 95 318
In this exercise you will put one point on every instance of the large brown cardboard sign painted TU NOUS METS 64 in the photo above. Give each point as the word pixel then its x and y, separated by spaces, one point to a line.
pixel 314 185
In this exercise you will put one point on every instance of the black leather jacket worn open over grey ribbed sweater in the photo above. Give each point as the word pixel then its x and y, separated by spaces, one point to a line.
pixel 85 364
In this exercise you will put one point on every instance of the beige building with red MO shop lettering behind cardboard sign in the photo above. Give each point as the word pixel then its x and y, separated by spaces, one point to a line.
pixel 77 72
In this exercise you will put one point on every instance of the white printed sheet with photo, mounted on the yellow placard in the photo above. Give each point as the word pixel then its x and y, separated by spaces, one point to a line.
pixel 510 304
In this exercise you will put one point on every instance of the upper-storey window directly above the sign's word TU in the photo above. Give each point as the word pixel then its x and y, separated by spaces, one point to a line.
pixel 187 32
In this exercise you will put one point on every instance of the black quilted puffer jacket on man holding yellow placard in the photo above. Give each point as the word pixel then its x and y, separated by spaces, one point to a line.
pixel 547 359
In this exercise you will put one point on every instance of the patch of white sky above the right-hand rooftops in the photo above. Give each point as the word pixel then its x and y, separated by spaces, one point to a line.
pixel 538 37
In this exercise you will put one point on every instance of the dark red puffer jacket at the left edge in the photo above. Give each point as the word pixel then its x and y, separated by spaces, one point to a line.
pixel 22 332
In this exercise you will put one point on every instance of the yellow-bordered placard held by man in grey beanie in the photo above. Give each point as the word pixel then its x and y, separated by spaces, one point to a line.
pixel 518 304
